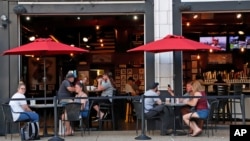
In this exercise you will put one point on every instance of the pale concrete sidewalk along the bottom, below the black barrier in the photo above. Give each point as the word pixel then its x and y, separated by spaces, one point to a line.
pixel 222 134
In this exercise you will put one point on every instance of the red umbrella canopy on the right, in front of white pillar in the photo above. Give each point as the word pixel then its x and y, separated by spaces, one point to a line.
pixel 173 43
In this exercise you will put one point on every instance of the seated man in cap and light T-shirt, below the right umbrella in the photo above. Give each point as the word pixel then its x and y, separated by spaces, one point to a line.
pixel 155 107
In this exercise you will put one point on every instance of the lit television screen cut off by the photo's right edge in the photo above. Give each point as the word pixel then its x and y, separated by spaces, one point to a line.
pixel 236 42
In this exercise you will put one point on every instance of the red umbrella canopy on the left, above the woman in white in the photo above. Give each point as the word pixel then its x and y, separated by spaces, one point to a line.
pixel 44 47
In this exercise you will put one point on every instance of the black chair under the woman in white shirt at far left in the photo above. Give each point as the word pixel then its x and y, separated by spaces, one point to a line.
pixel 8 119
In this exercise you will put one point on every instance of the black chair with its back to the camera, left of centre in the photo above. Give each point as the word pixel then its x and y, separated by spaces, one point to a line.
pixel 72 111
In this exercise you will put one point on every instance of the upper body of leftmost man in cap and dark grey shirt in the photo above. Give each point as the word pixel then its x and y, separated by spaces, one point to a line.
pixel 66 89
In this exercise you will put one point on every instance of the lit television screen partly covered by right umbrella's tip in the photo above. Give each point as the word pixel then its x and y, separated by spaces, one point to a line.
pixel 216 41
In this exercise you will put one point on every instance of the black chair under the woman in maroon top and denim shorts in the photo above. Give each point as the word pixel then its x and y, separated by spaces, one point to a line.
pixel 210 119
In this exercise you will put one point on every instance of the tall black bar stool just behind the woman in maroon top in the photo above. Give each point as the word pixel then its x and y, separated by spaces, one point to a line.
pixel 224 104
